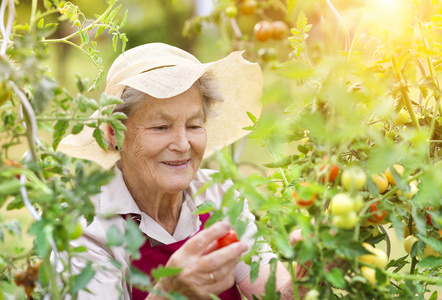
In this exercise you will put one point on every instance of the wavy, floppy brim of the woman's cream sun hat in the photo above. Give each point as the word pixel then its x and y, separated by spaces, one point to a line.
pixel 241 88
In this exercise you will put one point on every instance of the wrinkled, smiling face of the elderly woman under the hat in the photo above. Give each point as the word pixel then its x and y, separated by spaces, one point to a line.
pixel 165 142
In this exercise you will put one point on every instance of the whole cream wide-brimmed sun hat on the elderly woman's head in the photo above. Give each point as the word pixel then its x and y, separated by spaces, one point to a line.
pixel 163 71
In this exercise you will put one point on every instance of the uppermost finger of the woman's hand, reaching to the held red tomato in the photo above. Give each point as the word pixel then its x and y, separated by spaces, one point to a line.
pixel 199 242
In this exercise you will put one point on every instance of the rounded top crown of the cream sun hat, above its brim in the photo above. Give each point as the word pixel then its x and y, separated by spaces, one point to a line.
pixel 154 55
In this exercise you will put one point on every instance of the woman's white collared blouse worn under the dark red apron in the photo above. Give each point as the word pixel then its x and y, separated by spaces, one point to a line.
pixel 114 201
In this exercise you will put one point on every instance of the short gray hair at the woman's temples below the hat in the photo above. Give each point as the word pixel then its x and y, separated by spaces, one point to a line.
pixel 207 84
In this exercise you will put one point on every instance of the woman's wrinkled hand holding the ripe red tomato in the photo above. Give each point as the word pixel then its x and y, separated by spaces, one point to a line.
pixel 205 268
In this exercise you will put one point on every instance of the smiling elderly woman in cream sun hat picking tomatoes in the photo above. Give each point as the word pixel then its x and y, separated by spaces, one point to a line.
pixel 178 110
